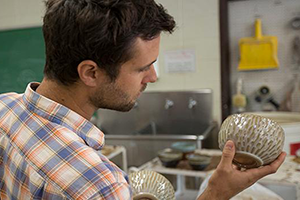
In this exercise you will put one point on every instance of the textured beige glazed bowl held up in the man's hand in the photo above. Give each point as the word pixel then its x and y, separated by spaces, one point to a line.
pixel 258 140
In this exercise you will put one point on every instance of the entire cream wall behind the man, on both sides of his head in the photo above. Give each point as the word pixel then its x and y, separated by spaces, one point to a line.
pixel 198 29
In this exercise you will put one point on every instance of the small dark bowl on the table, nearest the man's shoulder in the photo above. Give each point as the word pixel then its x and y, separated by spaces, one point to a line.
pixel 169 157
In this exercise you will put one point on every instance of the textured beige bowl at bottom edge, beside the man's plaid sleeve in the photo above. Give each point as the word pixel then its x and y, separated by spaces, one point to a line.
pixel 150 185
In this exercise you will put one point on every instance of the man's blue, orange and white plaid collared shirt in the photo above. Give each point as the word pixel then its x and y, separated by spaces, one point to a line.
pixel 47 151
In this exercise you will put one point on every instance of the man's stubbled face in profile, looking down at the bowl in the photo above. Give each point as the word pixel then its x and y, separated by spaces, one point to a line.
pixel 132 79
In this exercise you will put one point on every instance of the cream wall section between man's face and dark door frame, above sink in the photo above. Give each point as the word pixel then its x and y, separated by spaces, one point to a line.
pixel 198 29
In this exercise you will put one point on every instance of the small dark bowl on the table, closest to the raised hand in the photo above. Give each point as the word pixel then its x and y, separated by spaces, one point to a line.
pixel 197 161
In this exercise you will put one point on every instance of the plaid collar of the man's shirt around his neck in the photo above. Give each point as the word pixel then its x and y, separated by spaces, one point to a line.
pixel 62 115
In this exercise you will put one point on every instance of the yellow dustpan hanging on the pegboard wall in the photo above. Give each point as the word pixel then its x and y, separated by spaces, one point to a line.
pixel 259 52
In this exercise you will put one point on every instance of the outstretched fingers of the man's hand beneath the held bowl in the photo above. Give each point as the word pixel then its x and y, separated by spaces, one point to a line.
pixel 269 169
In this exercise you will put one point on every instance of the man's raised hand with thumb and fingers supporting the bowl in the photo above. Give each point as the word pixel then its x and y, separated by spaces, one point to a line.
pixel 227 180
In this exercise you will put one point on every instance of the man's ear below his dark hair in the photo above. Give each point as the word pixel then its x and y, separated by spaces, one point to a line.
pixel 89 72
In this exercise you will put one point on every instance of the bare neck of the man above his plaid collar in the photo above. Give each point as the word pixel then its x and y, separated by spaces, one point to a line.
pixel 73 97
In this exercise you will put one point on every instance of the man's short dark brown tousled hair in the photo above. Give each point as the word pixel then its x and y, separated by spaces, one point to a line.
pixel 99 30
